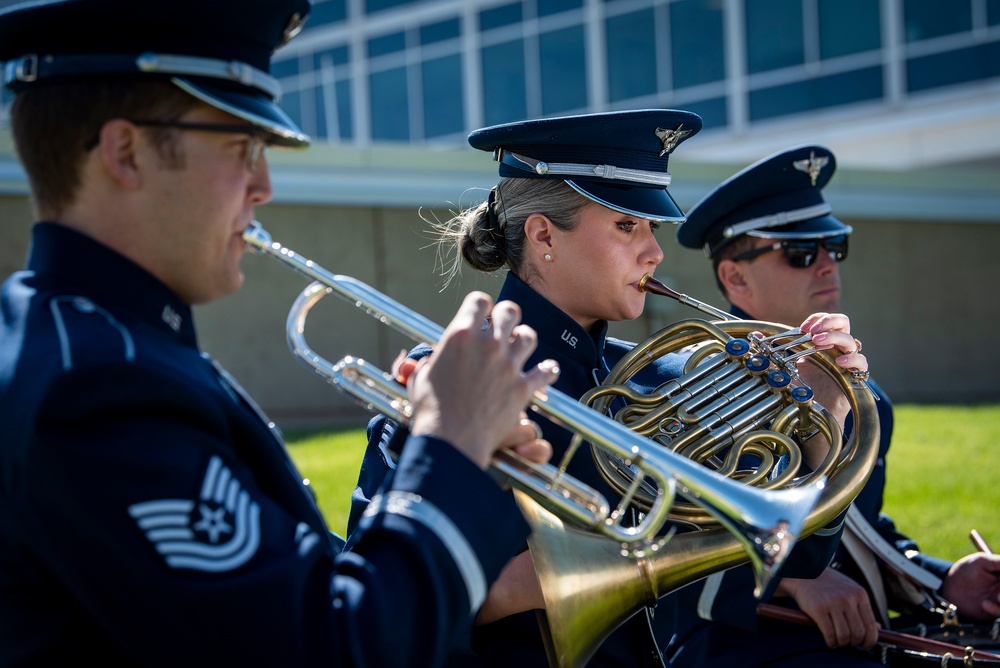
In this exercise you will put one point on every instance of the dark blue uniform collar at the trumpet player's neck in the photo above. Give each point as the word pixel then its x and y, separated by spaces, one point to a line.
pixel 95 271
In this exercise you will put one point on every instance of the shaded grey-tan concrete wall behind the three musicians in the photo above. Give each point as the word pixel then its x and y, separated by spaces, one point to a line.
pixel 922 297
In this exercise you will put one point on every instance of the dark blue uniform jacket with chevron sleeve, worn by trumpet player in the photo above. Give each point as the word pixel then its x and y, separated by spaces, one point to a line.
pixel 150 514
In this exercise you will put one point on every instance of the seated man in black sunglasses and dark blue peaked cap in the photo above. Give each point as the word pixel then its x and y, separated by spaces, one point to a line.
pixel 776 251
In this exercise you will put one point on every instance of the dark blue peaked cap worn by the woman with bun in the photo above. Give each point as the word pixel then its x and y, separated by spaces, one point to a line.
pixel 617 159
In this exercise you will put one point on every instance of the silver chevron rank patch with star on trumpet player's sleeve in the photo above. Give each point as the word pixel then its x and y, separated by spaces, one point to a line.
pixel 219 532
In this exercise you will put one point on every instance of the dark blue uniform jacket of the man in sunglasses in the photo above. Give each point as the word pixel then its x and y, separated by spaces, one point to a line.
pixel 723 629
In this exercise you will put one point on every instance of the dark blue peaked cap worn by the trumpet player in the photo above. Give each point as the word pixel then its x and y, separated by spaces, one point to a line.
pixel 219 51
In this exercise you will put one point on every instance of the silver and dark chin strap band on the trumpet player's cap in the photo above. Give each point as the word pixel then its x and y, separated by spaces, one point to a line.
pixel 32 67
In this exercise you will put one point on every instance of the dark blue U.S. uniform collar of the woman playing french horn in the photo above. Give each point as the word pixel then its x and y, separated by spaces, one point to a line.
pixel 555 328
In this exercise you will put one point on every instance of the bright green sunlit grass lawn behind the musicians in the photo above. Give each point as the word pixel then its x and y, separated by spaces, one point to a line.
pixel 942 473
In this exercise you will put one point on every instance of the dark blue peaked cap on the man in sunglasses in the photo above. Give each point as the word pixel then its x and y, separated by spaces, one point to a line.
pixel 778 197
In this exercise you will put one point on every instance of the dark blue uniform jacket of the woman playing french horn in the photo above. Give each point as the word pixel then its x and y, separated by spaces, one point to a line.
pixel 584 359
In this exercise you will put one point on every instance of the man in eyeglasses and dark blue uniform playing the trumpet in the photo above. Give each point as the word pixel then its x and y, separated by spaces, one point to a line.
pixel 149 512
